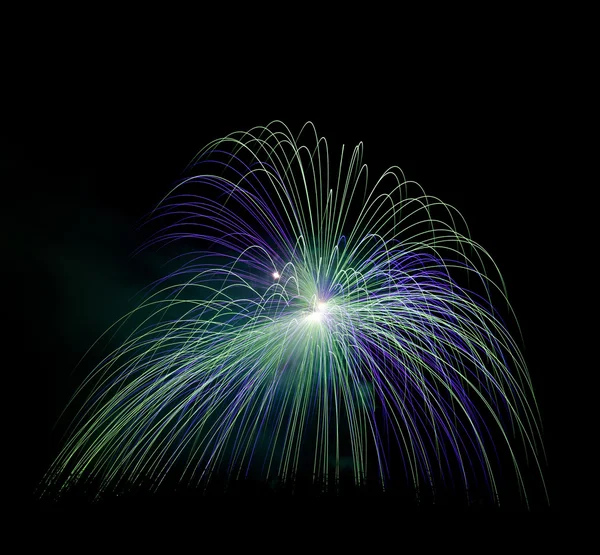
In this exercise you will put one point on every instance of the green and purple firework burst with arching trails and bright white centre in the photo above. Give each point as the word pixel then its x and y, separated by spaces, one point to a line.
pixel 319 324
